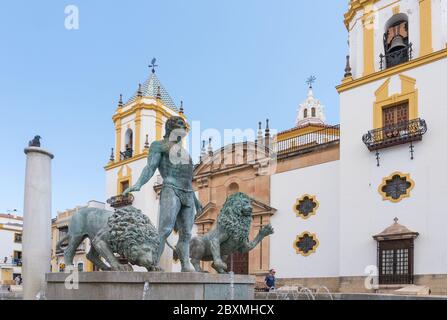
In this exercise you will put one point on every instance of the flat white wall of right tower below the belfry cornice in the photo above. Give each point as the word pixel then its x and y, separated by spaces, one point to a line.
pixel 363 213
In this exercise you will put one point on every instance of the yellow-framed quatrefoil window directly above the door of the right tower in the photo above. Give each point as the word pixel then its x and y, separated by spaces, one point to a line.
pixel 396 187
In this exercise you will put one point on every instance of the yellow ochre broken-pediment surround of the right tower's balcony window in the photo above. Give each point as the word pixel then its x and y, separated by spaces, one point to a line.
pixel 408 94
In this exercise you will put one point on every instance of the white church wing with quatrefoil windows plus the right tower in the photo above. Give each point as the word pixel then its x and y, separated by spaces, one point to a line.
pixel 381 203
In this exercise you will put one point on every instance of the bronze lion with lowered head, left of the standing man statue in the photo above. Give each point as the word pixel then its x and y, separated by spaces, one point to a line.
pixel 126 232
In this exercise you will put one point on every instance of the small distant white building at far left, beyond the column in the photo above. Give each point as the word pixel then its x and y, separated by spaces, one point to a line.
pixel 10 248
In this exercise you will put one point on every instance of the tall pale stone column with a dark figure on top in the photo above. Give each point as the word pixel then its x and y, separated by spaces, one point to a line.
pixel 36 221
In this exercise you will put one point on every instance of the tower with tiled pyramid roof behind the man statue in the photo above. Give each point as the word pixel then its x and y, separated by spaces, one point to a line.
pixel 138 122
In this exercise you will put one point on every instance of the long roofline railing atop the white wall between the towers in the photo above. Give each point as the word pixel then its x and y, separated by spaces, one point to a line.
pixel 308 141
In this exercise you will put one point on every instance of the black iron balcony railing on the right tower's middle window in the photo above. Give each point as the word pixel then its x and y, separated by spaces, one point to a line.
pixel 400 133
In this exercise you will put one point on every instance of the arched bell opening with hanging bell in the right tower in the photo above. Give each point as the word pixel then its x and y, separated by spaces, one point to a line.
pixel 397 46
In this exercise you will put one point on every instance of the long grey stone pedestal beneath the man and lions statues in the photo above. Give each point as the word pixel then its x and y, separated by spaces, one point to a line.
pixel 151 286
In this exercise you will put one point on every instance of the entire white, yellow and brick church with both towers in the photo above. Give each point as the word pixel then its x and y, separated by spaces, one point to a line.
pixel 356 207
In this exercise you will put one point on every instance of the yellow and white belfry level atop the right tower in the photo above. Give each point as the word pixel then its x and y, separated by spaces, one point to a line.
pixel 385 33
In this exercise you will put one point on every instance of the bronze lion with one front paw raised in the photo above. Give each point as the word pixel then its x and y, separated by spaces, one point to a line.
pixel 230 235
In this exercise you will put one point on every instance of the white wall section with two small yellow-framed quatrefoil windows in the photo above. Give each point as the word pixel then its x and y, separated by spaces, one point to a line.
pixel 321 181
